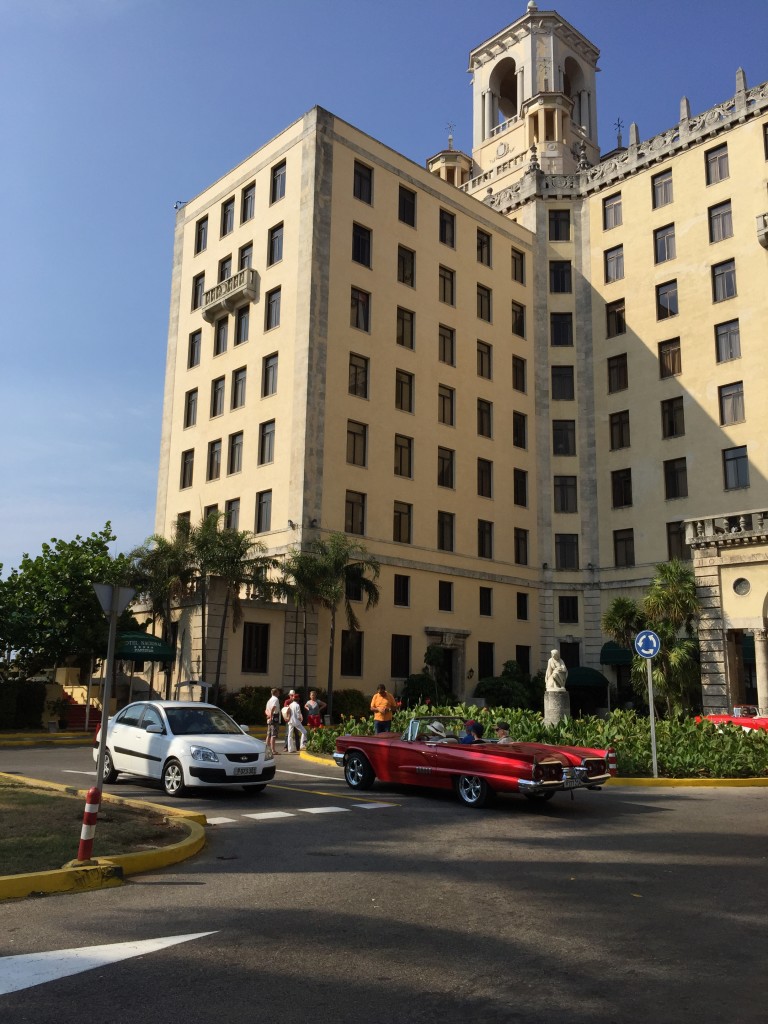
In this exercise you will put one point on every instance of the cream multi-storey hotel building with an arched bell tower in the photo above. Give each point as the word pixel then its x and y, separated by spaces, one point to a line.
pixel 521 378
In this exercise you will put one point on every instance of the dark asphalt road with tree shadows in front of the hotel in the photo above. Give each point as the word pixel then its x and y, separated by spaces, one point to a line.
pixel 618 907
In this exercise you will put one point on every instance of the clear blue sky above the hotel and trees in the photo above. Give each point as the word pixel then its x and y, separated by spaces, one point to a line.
pixel 114 110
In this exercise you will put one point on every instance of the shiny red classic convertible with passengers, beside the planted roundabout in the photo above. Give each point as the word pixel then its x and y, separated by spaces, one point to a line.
pixel 436 752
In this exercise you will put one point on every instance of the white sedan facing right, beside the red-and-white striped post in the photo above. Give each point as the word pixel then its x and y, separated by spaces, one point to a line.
pixel 185 745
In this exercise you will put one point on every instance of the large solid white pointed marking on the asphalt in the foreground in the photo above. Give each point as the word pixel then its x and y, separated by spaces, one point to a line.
pixel 29 970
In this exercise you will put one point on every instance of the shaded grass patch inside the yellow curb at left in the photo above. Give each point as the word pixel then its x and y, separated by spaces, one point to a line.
pixel 44 830
